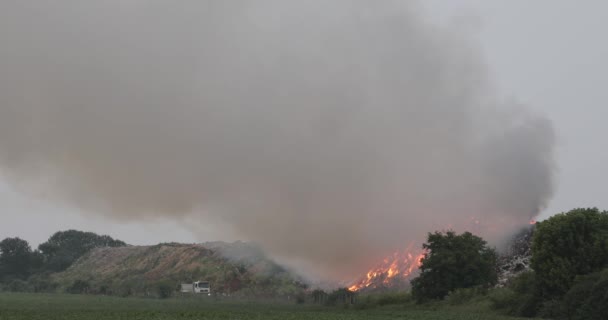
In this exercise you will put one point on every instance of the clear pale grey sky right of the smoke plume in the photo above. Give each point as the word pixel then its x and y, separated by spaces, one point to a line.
pixel 550 55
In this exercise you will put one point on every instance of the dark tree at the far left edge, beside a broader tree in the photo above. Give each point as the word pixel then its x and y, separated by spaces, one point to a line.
pixel 15 258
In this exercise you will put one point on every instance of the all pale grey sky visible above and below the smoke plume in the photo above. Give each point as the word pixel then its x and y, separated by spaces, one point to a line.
pixel 546 54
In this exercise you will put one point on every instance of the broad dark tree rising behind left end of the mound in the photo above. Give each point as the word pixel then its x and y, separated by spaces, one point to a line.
pixel 65 247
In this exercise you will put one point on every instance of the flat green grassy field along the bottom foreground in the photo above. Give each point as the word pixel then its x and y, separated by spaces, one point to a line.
pixel 62 306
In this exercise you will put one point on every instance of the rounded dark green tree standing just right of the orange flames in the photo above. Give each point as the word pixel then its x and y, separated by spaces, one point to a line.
pixel 454 261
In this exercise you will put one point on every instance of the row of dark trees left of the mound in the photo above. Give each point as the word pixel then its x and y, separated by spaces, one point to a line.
pixel 25 269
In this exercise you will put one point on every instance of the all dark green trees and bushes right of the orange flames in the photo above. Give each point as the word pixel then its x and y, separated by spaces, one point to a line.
pixel 568 277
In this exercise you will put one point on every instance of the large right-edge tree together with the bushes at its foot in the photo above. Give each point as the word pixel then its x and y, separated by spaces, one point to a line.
pixel 569 276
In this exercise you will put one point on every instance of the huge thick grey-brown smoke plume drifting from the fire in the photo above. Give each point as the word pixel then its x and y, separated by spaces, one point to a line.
pixel 330 132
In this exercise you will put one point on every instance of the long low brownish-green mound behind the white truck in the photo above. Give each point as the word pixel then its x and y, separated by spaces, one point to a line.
pixel 231 268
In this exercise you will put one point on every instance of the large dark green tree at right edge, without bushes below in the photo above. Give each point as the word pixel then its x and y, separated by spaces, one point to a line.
pixel 567 245
